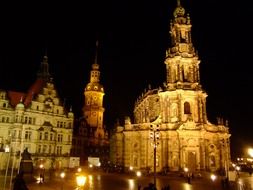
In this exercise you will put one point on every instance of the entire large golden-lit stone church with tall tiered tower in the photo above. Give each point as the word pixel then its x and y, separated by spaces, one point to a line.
pixel 171 130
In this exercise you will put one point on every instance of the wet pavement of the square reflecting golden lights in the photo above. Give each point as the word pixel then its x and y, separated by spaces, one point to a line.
pixel 111 181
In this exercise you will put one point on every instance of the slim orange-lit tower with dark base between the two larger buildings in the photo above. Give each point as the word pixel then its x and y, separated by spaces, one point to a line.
pixel 91 137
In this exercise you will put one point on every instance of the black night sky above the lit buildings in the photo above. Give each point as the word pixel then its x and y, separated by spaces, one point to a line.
pixel 133 37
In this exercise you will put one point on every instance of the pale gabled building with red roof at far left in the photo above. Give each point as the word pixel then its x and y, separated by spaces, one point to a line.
pixel 36 121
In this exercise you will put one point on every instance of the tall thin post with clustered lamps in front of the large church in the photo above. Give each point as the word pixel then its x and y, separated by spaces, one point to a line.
pixel 154 135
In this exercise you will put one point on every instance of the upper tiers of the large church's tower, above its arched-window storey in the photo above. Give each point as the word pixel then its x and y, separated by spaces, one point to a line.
pixel 182 63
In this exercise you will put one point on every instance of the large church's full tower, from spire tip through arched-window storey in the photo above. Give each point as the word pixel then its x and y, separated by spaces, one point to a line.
pixel 182 72
